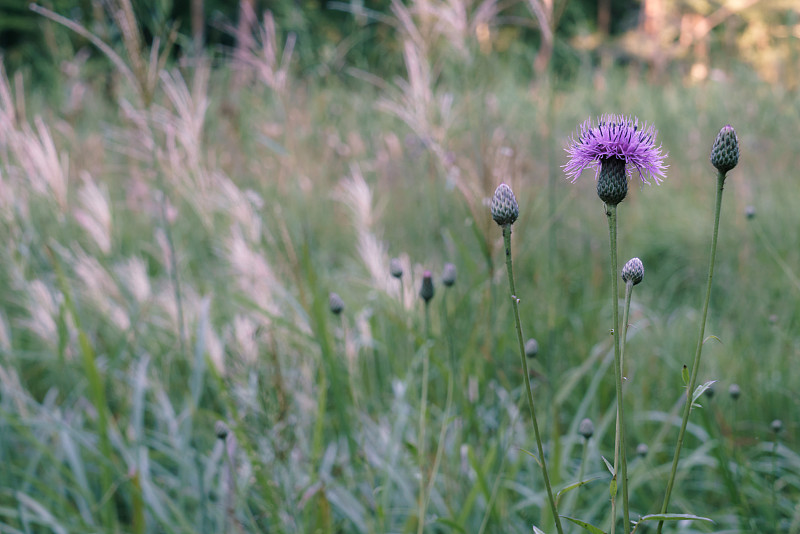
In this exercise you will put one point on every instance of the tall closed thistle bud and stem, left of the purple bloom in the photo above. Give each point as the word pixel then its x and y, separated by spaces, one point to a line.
pixel 505 211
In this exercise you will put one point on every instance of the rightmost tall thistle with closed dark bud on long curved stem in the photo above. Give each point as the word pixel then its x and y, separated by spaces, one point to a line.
pixel 724 156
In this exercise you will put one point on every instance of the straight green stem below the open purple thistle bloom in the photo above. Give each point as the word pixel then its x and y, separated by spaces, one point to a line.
pixel 619 448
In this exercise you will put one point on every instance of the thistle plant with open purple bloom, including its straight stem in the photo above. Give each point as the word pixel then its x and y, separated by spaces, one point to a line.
pixel 616 148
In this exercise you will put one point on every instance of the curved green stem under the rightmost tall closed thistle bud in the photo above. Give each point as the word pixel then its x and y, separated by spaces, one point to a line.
pixel 696 364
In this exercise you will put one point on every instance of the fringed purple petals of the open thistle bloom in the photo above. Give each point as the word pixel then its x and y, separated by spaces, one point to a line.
pixel 619 137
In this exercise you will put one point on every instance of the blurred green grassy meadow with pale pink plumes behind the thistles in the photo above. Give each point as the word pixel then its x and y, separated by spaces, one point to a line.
pixel 169 361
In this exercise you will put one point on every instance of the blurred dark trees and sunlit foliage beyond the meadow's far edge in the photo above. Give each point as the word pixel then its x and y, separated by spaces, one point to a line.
pixel 695 39
